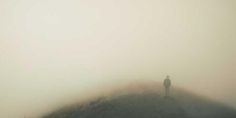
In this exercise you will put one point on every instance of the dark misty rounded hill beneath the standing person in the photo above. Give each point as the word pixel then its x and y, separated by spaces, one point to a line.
pixel 147 104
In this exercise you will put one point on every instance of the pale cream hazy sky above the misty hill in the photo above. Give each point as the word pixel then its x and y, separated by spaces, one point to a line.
pixel 53 50
